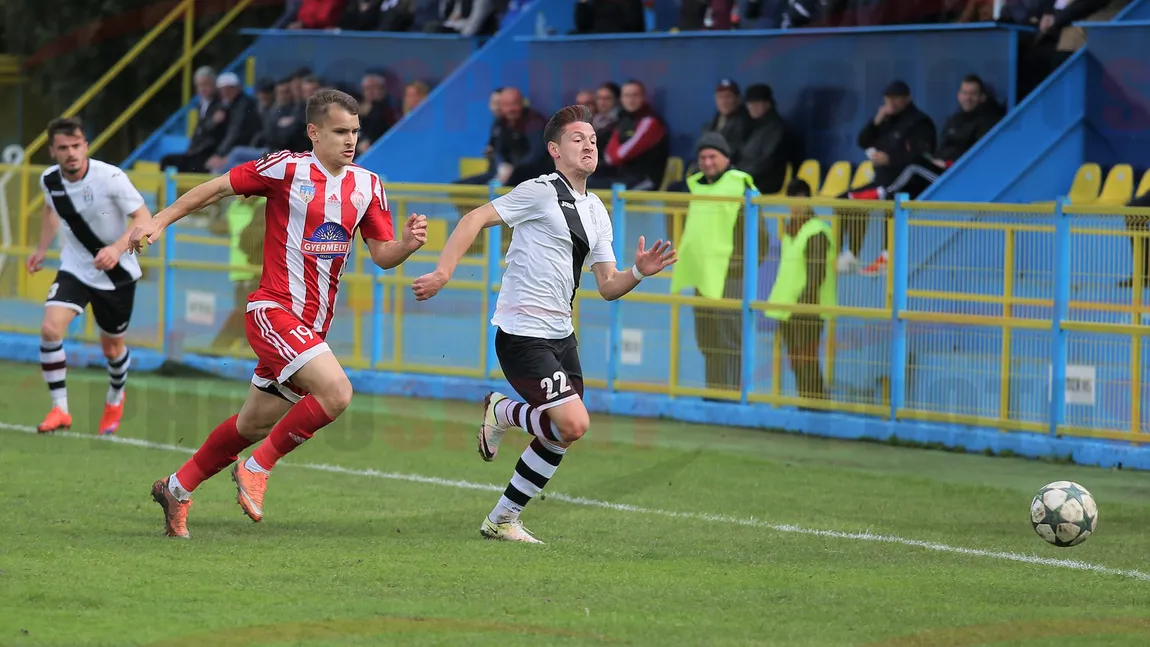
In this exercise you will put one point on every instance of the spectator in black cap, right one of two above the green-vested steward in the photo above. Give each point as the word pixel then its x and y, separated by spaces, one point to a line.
pixel 768 148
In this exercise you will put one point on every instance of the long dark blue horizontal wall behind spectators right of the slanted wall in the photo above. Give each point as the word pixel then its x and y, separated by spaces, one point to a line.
pixel 825 96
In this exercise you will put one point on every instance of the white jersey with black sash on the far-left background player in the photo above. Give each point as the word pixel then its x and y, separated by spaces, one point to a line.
pixel 94 214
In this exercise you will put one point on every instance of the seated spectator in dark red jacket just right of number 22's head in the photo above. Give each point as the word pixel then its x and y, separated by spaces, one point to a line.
pixel 639 148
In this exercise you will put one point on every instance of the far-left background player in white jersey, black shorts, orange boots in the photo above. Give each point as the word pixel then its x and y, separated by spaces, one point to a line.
pixel 89 203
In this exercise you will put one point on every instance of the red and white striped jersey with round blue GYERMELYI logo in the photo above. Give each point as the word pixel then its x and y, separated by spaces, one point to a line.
pixel 312 220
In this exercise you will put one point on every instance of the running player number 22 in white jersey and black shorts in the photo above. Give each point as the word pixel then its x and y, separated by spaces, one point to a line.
pixel 559 229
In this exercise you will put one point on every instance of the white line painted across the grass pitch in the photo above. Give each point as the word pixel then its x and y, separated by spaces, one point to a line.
pixel 749 522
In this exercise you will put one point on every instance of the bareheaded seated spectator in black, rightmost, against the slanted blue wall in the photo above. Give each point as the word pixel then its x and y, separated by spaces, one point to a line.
pixel 978 113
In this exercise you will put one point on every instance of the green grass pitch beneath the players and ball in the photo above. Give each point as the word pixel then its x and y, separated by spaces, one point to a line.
pixel 658 534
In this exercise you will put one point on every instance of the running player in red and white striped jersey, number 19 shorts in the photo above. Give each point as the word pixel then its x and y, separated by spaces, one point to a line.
pixel 317 203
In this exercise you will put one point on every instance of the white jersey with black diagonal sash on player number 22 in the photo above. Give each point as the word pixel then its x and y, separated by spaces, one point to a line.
pixel 557 233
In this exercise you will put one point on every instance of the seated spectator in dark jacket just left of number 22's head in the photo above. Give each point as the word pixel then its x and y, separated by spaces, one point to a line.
pixel 520 152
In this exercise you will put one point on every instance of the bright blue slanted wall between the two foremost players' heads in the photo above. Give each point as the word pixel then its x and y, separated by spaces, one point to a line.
pixel 455 121
